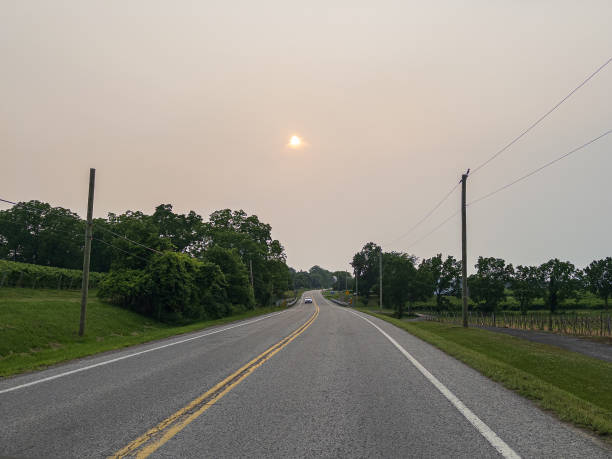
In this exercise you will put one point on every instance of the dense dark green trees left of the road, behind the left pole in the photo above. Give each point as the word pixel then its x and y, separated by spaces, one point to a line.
pixel 171 265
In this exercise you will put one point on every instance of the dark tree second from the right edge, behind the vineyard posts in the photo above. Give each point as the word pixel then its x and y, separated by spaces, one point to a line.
pixel 559 280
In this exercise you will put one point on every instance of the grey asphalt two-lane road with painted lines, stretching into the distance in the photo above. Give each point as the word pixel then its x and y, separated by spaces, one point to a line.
pixel 317 380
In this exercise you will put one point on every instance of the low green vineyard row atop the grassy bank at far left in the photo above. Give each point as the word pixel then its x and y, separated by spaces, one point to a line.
pixel 15 274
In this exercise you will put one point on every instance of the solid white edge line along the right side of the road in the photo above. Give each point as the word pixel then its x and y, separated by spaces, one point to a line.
pixel 497 443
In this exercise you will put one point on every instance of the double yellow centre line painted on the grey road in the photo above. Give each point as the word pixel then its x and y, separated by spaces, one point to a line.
pixel 154 438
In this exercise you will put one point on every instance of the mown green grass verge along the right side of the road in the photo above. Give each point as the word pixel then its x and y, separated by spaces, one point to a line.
pixel 576 388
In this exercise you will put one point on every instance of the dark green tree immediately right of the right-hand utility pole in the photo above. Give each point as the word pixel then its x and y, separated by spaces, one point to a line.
pixel 487 286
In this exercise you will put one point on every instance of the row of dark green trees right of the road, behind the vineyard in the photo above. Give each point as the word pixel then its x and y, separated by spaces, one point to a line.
pixel 407 281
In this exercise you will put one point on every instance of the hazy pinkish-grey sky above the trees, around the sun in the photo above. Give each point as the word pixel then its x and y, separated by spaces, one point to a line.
pixel 193 104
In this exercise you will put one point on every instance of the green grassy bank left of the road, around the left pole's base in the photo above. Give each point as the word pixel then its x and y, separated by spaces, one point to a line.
pixel 39 328
